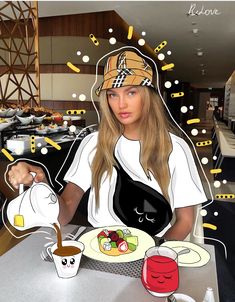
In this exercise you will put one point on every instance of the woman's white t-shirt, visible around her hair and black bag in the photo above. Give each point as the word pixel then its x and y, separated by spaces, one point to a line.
pixel 185 188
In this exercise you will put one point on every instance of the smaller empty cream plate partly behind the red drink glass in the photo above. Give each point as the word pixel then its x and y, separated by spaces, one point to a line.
pixel 196 257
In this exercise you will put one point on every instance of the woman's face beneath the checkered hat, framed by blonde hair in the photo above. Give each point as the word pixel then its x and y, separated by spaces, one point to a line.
pixel 126 104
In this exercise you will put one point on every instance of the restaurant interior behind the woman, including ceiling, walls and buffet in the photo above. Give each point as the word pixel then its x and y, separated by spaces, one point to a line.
pixel 51 59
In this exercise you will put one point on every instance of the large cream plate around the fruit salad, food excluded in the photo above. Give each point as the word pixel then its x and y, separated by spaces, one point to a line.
pixel 145 241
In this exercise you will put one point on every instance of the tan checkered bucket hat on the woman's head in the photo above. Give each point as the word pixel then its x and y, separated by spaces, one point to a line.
pixel 126 69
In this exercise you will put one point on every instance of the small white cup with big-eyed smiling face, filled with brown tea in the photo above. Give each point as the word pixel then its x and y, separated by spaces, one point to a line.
pixel 66 257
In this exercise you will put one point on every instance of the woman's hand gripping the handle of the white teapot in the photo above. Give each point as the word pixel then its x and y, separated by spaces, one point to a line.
pixel 21 174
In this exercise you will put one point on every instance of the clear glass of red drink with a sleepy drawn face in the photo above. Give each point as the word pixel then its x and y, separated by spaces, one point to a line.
pixel 160 275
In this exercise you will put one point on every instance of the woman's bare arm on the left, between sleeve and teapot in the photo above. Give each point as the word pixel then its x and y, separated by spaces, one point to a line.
pixel 69 201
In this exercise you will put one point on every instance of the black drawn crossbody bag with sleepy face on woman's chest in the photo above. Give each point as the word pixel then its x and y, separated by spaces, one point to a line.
pixel 138 205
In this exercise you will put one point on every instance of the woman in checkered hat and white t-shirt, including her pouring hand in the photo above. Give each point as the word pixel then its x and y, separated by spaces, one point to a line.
pixel 135 171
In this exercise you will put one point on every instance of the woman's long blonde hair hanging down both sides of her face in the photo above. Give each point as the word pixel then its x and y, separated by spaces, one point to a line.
pixel 154 138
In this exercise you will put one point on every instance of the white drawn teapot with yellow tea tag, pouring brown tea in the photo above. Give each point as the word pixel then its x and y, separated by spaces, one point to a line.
pixel 35 207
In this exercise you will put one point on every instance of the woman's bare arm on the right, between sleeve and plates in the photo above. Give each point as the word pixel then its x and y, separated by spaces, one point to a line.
pixel 183 224
